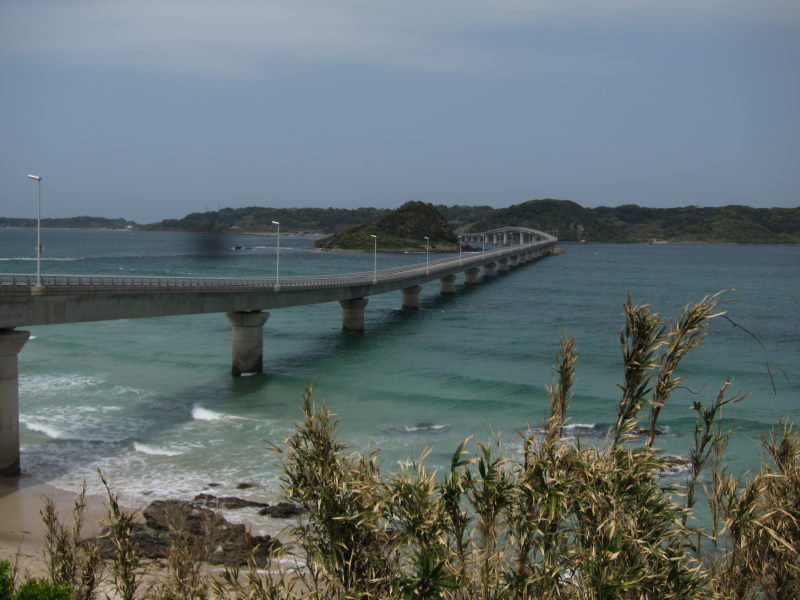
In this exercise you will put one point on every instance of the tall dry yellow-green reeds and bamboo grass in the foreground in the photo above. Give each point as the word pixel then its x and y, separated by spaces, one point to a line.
pixel 551 517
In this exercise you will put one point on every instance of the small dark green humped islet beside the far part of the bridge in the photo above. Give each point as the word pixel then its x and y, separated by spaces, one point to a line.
pixel 401 229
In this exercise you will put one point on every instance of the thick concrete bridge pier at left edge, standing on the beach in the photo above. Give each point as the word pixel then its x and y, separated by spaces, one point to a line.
pixel 11 343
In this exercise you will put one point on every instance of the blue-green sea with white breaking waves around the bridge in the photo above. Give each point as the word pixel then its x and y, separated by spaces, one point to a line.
pixel 152 405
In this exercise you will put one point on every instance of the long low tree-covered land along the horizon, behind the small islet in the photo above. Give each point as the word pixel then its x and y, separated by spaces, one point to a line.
pixel 627 223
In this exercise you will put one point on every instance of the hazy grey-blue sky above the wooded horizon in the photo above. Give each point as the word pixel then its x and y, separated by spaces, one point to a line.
pixel 152 109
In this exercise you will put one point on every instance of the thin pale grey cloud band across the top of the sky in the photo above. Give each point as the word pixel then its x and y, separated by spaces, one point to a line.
pixel 242 36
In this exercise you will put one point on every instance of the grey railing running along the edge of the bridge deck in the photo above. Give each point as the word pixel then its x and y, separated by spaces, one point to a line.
pixel 432 267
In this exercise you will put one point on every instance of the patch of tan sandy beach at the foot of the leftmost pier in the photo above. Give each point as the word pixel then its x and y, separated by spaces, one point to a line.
pixel 21 528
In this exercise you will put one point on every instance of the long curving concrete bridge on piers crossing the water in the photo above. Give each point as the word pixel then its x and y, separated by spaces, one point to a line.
pixel 26 301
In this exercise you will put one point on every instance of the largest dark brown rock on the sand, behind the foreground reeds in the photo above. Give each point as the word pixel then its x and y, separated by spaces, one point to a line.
pixel 220 542
